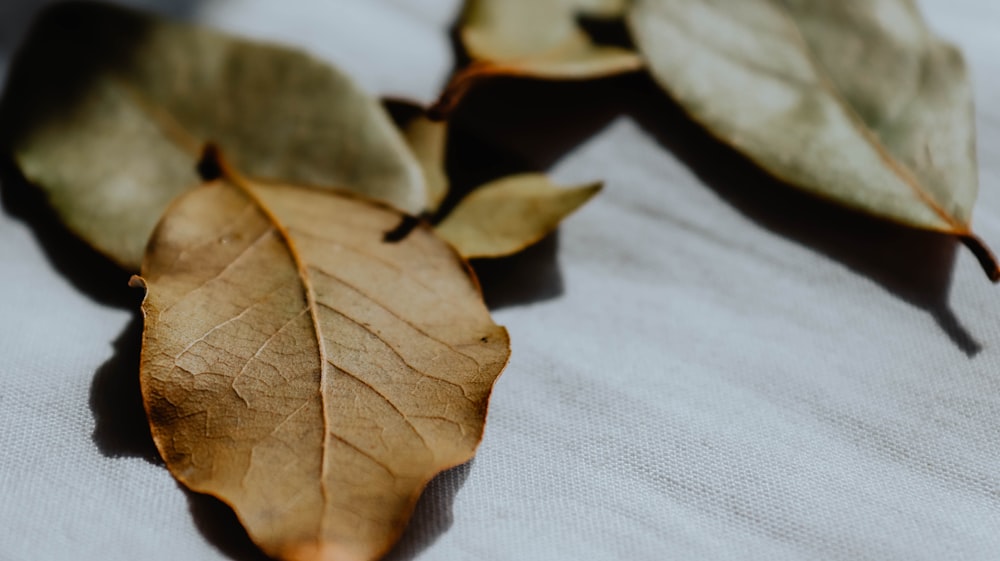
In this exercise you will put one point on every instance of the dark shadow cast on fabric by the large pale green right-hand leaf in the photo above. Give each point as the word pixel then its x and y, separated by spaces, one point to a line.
pixel 914 265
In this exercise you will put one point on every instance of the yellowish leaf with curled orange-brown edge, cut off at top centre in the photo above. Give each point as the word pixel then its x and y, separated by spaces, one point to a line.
pixel 536 39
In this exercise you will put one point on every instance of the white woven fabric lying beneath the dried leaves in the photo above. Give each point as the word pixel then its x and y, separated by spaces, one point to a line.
pixel 706 365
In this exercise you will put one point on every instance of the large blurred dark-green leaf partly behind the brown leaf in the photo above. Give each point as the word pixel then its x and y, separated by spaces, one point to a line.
pixel 107 110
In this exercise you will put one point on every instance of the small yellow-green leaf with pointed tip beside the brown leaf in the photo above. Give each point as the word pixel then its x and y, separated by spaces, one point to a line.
pixel 509 214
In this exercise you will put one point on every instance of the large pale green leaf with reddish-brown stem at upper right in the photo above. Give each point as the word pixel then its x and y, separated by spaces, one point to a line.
pixel 856 101
